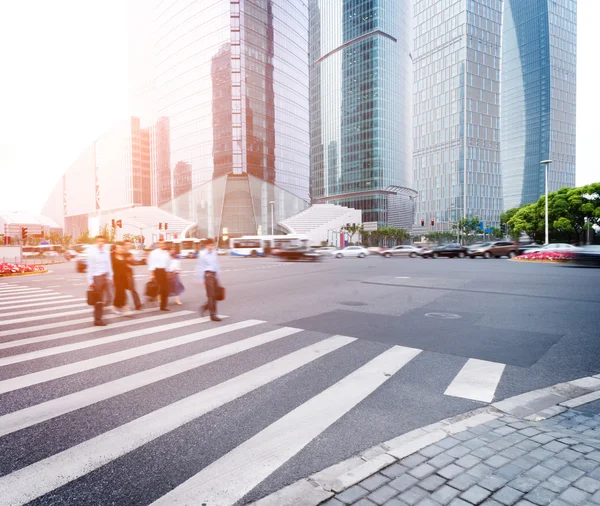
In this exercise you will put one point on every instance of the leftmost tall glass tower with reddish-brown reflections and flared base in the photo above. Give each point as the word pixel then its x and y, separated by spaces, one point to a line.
pixel 232 86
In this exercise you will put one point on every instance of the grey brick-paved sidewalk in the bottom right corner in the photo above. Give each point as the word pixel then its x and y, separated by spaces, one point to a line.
pixel 500 463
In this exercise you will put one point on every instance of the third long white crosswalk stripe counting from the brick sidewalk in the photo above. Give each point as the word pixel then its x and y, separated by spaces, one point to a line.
pixel 33 415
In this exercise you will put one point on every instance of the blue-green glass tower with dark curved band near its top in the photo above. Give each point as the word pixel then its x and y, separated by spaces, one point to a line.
pixel 360 89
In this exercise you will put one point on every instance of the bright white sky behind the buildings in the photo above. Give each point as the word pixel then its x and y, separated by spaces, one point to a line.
pixel 65 79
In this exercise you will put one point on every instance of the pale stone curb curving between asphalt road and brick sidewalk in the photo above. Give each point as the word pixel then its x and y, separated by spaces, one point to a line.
pixel 533 406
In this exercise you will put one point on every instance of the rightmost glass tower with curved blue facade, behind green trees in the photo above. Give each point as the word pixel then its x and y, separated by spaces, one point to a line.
pixel 538 97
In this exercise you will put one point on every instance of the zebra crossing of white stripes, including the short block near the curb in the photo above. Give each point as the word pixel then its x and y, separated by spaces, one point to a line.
pixel 161 378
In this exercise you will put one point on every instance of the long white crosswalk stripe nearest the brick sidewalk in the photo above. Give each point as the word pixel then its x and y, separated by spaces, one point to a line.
pixel 258 457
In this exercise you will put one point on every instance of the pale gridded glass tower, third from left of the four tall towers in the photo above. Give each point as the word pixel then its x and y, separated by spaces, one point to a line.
pixel 456 122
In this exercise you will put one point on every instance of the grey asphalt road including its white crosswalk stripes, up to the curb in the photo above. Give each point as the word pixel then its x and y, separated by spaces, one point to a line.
pixel 355 352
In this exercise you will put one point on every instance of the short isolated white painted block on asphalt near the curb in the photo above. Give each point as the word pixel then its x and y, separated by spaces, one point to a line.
pixel 477 380
